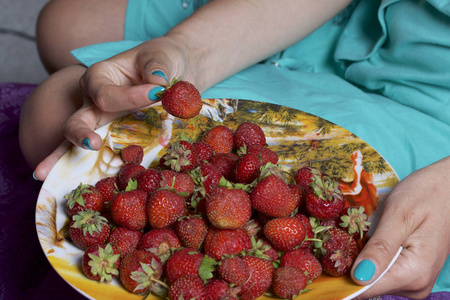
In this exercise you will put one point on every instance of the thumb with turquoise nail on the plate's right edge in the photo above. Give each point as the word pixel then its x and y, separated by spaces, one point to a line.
pixel 380 250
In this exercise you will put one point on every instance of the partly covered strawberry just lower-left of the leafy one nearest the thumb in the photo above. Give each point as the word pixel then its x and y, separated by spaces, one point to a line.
pixel 304 261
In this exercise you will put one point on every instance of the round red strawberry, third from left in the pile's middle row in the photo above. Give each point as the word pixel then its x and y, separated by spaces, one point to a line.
pixel 164 208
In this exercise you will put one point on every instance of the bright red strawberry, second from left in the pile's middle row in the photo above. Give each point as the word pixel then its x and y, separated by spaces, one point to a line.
pixel 128 209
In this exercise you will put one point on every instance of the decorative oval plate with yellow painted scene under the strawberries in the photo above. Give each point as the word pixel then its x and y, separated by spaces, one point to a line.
pixel 299 139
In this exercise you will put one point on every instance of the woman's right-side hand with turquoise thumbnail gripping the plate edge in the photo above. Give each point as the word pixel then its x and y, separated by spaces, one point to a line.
pixel 416 217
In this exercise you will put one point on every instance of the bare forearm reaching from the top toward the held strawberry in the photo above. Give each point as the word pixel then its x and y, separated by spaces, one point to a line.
pixel 249 31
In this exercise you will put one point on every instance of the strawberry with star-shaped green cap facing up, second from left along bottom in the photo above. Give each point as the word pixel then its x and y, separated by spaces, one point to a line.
pixel 139 271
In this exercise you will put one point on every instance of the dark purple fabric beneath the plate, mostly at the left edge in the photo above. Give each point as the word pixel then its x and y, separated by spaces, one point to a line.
pixel 25 272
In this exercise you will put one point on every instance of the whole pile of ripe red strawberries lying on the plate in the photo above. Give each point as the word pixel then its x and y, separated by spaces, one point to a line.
pixel 217 219
